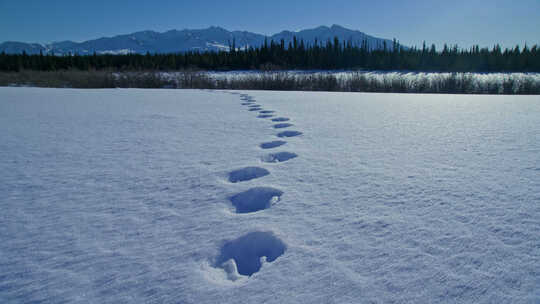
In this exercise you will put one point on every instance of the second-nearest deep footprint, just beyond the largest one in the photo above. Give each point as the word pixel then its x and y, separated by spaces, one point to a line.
pixel 255 199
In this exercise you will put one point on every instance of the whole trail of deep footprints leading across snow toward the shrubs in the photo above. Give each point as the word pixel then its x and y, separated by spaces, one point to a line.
pixel 245 255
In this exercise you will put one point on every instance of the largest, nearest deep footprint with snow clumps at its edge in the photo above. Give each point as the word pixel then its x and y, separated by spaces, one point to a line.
pixel 246 254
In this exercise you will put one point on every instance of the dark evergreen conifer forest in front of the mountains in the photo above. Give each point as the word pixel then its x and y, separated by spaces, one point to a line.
pixel 296 55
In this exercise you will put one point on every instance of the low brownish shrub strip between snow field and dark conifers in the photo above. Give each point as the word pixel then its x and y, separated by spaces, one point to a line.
pixel 455 83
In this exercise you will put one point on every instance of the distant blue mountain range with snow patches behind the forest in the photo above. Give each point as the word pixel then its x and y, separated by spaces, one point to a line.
pixel 173 41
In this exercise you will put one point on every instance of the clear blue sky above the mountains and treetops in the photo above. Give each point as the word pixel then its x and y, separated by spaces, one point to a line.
pixel 462 22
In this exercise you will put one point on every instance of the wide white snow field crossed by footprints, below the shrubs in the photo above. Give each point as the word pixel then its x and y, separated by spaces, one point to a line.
pixel 112 196
